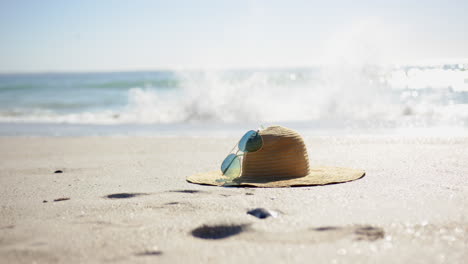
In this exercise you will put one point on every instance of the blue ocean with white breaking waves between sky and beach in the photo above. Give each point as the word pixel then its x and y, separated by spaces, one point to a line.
pixel 337 100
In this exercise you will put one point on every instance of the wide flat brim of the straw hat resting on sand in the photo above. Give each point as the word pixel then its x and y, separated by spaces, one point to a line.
pixel 316 176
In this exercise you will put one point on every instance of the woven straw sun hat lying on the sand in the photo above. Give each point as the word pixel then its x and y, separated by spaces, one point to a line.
pixel 281 162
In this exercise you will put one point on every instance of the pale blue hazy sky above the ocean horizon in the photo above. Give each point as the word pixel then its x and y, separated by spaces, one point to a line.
pixel 120 35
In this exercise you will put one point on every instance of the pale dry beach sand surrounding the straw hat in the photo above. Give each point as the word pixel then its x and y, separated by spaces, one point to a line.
pixel 129 202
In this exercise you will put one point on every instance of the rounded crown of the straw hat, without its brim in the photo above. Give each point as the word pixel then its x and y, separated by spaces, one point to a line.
pixel 283 154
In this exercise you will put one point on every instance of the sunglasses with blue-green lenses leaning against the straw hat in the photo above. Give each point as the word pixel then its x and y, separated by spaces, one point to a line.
pixel 251 141
